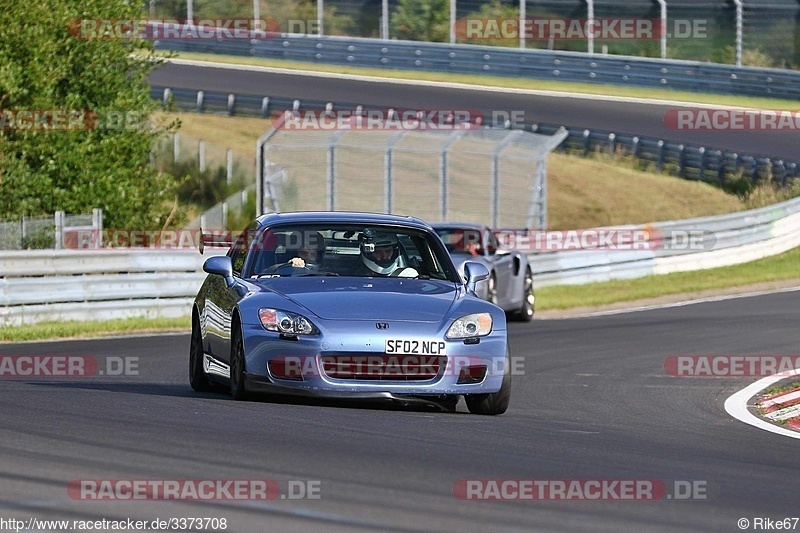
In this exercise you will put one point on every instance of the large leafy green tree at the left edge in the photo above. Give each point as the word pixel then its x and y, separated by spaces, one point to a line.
pixel 46 65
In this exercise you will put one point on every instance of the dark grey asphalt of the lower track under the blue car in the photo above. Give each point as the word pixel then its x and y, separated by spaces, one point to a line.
pixel 591 401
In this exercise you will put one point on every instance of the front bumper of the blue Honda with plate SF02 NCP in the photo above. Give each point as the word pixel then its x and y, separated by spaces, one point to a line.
pixel 360 340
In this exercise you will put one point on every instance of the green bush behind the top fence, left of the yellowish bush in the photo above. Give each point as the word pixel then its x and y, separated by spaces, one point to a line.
pixel 422 20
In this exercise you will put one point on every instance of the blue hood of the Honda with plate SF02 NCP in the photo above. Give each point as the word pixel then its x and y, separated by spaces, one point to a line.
pixel 350 298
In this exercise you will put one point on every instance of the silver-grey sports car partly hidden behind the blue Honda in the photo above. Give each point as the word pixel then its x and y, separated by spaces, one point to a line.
pixel 510 283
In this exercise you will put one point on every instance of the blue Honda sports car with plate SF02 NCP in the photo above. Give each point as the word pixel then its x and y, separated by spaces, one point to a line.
pixel 348 305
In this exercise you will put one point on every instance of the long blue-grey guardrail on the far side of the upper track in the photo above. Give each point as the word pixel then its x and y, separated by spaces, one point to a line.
pixel 509 62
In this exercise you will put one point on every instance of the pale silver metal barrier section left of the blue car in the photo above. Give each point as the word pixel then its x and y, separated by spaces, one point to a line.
pixel 59 285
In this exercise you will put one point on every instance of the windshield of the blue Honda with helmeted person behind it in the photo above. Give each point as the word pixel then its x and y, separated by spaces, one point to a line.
pixel 347 250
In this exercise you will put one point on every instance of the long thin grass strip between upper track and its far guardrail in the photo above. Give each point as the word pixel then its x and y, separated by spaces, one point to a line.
pixel 512 83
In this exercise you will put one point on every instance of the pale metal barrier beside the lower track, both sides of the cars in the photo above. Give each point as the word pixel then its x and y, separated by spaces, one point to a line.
pixel 45 285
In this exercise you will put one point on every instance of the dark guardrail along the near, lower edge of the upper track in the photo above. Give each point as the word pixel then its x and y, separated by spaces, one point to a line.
pixel 690 161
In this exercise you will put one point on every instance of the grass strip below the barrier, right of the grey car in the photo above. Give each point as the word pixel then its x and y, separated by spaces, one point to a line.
pixel 778 268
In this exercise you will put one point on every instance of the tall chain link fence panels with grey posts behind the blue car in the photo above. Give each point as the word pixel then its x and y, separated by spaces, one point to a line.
pixel 489 176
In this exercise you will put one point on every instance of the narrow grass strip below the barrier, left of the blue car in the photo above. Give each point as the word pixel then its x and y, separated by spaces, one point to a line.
pixel 76 330
